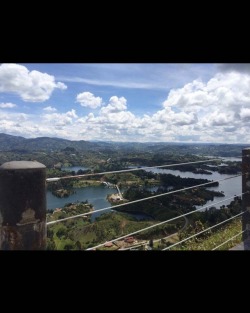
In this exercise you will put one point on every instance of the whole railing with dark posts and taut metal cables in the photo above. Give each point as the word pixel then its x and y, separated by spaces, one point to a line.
pixel 23 204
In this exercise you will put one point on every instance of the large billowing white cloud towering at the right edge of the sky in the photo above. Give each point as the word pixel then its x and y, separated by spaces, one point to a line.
pixel 211 110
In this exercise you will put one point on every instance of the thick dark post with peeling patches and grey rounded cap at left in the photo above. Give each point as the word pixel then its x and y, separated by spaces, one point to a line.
pixel 22 206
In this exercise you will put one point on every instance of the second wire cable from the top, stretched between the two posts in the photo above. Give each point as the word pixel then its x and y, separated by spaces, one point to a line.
pixel 140 200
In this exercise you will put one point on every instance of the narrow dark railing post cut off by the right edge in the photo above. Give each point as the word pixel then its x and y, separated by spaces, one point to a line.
pixel 246 197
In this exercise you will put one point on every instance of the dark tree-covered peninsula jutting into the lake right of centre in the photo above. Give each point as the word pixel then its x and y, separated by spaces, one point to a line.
pixel 169 206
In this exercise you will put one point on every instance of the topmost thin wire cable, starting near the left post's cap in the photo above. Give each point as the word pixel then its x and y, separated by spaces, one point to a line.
pixel 126 170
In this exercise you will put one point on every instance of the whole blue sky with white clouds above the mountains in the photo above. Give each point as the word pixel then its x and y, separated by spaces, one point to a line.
pixel 135 102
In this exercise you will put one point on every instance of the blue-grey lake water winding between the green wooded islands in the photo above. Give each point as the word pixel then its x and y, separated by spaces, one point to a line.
pixel 97 195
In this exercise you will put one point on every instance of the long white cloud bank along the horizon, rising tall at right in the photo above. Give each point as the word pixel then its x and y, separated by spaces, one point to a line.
pixel 214 111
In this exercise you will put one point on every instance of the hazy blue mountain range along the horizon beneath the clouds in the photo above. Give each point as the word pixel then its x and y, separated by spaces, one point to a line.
pixel 24 145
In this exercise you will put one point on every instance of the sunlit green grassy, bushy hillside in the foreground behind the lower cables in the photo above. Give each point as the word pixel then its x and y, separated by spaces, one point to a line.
pixel 80 233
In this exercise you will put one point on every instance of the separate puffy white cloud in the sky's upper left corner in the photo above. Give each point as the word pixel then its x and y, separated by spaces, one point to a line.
pixel 31 86
